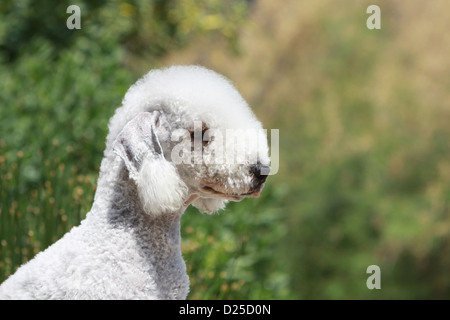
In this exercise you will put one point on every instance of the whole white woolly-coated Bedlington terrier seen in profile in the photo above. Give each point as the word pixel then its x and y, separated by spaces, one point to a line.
pixel 183 135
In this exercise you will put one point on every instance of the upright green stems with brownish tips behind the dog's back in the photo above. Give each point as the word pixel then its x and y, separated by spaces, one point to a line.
pixel 33 216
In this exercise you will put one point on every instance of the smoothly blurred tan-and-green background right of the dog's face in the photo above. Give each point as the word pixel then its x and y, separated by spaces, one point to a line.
pixel 364 142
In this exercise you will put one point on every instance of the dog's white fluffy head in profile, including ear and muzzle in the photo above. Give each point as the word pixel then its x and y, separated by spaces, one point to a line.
pixel 194 140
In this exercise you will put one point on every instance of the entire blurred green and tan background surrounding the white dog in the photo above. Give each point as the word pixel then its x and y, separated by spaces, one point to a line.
pixel 363 116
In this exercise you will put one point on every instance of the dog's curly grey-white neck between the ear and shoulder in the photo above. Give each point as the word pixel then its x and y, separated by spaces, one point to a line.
pixel 156 238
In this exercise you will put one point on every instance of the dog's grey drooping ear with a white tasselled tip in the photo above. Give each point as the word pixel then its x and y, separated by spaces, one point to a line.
pixel 159 186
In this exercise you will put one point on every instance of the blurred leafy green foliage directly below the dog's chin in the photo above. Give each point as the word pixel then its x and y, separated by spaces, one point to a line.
pixel 232 254
